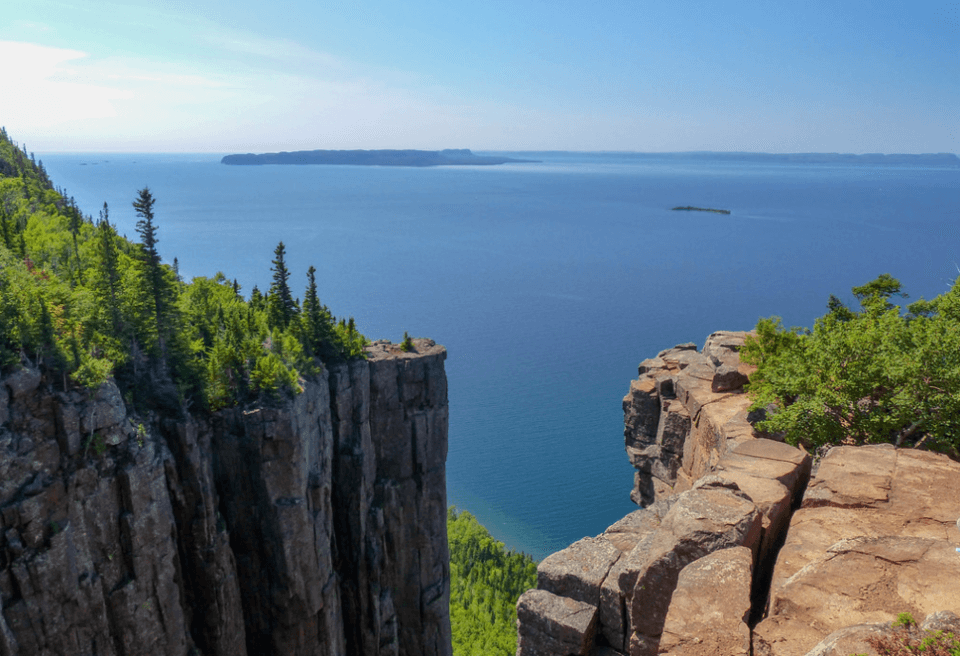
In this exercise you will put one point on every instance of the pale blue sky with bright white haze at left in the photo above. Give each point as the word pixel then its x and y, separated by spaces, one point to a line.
pixel 850 76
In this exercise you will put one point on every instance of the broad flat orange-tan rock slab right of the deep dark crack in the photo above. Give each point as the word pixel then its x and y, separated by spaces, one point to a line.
pixel 876 535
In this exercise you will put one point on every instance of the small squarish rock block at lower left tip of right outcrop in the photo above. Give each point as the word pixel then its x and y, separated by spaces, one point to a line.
pixel 550 625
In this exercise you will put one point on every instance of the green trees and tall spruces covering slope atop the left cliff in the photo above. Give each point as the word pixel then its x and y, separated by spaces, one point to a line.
pixel 83 304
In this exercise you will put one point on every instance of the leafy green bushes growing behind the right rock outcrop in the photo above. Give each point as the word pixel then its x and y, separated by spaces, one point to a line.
pixel 868 376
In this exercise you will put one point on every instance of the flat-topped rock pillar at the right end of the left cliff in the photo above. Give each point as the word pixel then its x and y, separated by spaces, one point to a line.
pixel 408 426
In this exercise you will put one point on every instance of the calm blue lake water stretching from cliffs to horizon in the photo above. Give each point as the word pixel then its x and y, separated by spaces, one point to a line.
pixel 548 283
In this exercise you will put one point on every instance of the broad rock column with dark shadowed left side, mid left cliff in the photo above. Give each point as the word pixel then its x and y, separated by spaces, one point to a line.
pixel 274 474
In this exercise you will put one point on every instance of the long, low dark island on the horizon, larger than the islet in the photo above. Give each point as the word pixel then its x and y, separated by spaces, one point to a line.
pixel 449 157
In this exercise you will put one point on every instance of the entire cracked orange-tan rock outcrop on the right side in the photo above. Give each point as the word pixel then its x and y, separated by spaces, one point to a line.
pixel 732 551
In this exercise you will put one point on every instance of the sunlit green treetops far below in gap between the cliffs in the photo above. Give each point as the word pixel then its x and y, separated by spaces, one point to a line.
pixel 485 582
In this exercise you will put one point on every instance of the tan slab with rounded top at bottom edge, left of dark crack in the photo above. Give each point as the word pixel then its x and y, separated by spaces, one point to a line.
pixel 710 607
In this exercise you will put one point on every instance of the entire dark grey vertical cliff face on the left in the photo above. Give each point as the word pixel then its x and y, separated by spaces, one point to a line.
pixel 317 528
